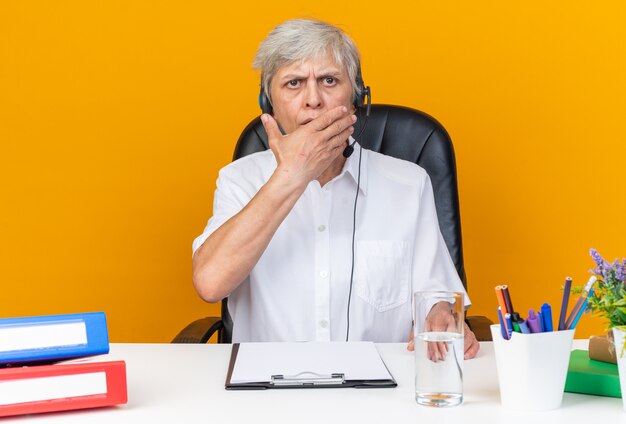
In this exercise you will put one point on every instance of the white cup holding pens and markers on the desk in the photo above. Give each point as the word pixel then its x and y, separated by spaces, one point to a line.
pixel 532 368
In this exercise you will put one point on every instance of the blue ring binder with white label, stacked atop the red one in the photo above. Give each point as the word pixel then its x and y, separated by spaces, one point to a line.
pixel 31 340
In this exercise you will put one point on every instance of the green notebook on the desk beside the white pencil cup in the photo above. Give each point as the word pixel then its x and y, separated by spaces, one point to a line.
pixel 587 376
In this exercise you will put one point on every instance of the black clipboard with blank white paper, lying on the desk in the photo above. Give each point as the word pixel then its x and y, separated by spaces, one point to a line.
pixel 258 366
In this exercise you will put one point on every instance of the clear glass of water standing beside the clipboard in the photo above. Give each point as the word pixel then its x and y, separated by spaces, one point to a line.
pixel 438 332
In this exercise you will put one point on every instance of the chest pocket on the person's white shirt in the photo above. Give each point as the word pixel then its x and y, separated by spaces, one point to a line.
pixel 383 273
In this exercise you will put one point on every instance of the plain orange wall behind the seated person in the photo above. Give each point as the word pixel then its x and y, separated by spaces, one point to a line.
pixel 116 116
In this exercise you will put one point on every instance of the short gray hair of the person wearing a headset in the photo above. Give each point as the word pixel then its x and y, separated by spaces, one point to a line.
pixel 301 39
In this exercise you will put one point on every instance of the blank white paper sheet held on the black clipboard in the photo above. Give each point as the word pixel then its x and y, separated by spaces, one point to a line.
pixel 258 362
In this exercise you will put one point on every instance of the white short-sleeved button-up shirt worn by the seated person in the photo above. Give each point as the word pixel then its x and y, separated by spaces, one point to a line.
pixel 300 287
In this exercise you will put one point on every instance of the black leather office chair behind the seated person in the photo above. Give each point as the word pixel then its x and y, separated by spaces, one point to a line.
pixel 395 131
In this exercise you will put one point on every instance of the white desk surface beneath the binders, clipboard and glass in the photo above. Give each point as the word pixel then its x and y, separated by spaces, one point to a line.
pixel 185 384
